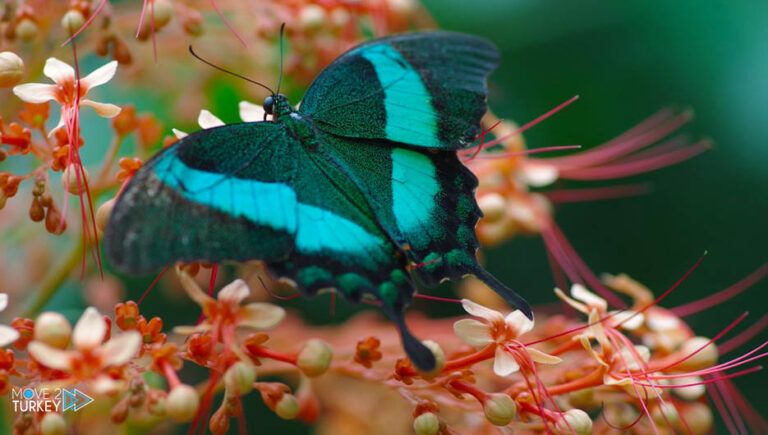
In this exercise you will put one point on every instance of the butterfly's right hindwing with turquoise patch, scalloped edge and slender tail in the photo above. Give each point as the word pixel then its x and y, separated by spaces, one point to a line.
pixel 425 200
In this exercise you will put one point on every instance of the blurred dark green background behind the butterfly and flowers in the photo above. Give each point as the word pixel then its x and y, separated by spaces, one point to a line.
pixel 626 60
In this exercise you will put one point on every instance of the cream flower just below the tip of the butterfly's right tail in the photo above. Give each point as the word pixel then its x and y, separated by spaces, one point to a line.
pixel 502 332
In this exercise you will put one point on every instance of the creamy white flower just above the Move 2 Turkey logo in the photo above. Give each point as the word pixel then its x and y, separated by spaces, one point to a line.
pixel 90 353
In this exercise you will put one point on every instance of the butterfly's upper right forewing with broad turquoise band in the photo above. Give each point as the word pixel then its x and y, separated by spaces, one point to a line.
pixel 423 89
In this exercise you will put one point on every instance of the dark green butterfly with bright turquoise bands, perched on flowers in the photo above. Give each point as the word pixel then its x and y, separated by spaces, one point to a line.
pixel 359 190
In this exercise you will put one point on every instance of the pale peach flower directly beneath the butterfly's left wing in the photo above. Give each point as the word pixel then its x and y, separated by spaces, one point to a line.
pixel 226 310
